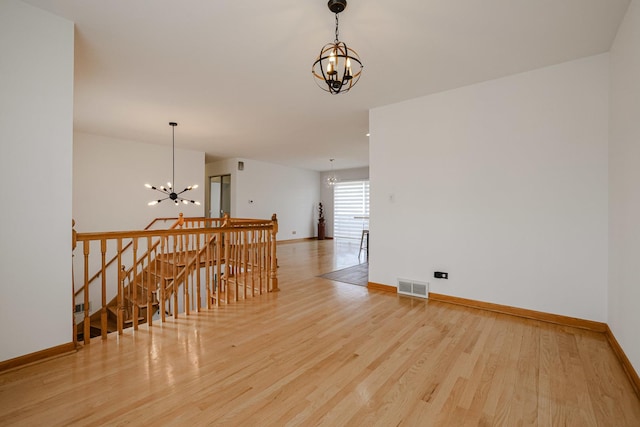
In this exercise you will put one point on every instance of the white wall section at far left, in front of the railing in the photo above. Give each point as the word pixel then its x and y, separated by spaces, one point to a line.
pixel 36 119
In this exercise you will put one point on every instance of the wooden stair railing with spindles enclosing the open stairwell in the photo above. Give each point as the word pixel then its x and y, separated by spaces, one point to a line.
pixel 199 262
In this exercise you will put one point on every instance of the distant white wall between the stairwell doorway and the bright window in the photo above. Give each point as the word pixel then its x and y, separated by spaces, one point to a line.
pixel 262 189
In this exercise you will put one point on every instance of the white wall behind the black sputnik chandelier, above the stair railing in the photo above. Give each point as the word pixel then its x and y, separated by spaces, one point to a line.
pixel 109 177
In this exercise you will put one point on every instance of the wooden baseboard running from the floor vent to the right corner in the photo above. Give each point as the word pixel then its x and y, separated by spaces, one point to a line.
pixel 522 312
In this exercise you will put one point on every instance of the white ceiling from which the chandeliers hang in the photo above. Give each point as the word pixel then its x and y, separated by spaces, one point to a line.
pixel 236 74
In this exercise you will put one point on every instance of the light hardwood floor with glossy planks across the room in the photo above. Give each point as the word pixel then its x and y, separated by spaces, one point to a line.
pixel 325 353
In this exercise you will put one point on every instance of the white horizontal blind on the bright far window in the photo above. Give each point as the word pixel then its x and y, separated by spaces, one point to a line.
pixel 350 205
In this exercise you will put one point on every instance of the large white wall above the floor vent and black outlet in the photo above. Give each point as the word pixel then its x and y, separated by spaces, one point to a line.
pixel 501 184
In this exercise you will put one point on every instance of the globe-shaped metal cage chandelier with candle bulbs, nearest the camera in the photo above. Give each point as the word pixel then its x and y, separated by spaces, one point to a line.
pixel 338 68
